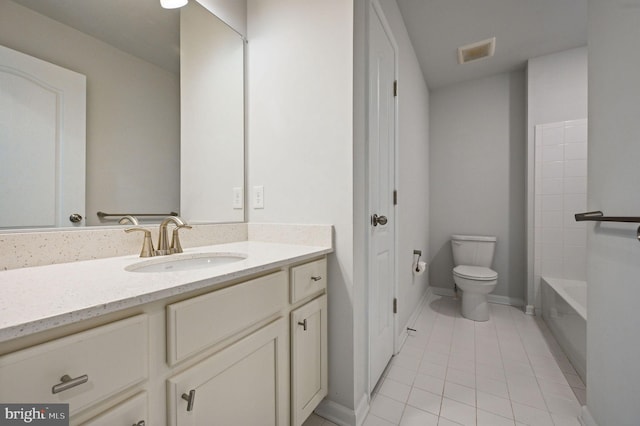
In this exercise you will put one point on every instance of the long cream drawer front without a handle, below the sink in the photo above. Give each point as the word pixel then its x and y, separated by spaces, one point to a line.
pixel 203 321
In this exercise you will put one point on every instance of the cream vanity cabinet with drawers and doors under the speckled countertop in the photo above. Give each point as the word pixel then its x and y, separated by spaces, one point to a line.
pixel 251 351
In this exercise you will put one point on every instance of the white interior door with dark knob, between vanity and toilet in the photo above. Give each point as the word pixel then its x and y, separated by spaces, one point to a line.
pixel 381 160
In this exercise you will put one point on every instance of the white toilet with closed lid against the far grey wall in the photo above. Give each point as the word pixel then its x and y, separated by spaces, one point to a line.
pixel 472 258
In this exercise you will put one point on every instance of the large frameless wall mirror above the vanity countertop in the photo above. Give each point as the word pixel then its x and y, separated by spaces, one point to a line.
pixel 161 136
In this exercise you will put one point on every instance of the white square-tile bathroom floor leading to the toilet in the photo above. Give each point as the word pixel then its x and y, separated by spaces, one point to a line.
pixel 453 371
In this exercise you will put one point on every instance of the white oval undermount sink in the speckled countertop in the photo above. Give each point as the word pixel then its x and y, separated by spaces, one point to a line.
pixel 185 262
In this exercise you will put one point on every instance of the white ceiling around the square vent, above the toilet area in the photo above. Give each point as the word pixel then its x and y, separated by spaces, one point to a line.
pixel 523 29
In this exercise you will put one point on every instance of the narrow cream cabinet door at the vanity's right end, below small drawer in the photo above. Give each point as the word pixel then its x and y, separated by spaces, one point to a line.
pixel 308 358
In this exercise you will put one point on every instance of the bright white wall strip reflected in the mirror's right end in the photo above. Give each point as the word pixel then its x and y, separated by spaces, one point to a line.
pixel 212 112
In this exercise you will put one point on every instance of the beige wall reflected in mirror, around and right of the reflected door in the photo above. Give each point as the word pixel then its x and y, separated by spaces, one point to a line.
pixel 133 113
